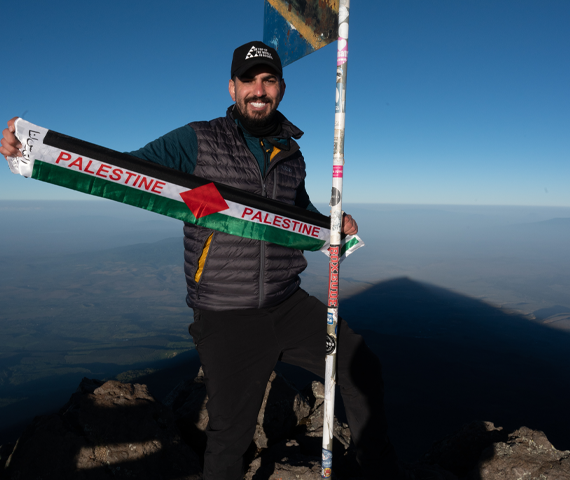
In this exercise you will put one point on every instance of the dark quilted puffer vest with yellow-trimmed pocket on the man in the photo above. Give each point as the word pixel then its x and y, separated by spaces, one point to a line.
pixel 240 272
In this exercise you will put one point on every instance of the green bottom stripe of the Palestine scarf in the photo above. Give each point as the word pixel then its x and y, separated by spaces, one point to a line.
pixel 100 187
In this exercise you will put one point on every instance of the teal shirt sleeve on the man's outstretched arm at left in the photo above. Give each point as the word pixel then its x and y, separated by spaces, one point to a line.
pixel 177 149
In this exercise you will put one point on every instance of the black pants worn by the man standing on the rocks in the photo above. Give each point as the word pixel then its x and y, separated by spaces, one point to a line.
pixel 239 349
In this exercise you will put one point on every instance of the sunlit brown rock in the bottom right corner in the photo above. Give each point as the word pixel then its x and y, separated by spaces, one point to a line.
pixel 526 454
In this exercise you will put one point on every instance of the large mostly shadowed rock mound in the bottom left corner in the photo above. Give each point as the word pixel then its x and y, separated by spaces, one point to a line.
pixel 107 430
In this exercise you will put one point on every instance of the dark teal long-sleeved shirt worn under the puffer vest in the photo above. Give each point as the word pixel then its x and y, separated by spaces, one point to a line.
pixel 178 149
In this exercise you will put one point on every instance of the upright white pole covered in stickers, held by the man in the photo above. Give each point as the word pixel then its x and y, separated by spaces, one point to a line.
pixel 335 239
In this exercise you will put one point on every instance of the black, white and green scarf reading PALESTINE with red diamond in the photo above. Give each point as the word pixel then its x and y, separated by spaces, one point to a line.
pixel 55 158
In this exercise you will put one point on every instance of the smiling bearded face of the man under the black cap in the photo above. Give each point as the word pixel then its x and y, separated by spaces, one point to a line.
pixel 257 93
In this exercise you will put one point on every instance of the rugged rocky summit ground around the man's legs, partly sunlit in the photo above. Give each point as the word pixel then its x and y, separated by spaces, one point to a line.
pixel 114 430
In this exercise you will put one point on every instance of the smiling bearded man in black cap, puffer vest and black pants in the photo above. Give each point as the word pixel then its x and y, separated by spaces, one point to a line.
pixel 249 311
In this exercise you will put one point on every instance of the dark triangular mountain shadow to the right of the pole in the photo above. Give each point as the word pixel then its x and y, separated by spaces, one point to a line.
pixel 450 359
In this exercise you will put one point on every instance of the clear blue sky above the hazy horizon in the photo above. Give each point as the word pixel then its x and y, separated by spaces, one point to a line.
pixel 448 101
